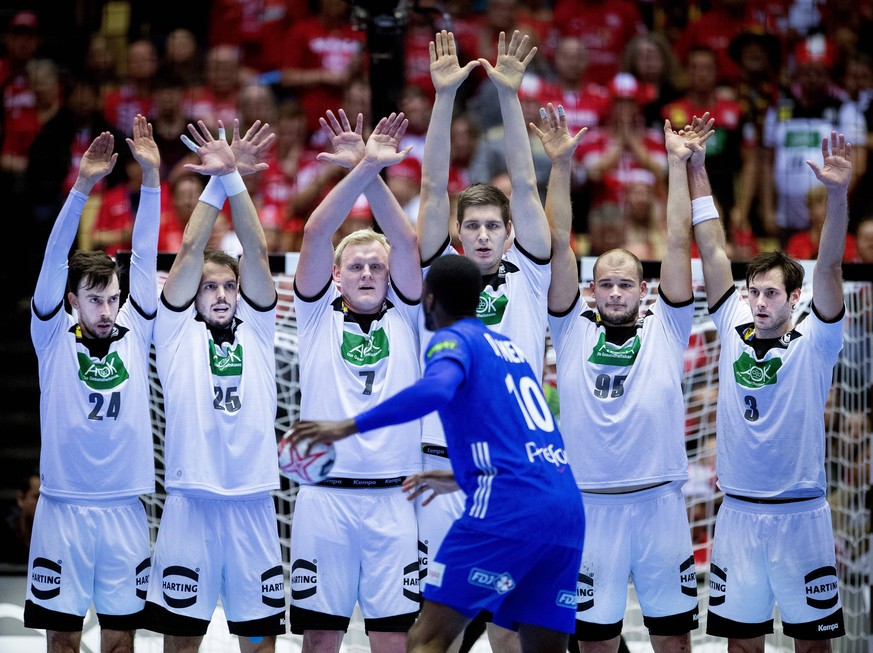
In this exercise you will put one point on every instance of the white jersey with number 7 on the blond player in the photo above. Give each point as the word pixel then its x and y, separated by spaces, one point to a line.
pixel 344 371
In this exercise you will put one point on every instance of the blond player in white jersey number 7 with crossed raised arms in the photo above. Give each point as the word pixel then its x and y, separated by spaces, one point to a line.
pixel 354 538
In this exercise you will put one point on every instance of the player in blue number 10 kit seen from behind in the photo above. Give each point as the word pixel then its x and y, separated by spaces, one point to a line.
pixel 516 549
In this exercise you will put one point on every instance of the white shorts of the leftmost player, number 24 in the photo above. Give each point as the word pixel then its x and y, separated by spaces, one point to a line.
pixel 83 553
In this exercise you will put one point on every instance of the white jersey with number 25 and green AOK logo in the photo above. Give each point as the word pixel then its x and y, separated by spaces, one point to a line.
pixel 220 402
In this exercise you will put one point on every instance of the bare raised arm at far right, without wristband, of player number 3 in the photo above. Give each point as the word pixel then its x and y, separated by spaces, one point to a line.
pixel 836 175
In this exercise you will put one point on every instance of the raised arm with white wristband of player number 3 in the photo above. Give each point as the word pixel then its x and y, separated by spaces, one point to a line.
pixel 709 233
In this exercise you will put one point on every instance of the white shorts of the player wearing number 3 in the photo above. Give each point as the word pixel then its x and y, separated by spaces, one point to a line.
pixel 768 553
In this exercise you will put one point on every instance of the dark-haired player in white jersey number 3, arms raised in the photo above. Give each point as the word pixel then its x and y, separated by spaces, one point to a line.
pixel 773 540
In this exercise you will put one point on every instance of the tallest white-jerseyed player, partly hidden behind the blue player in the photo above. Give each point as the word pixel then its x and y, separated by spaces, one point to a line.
pixel 507 238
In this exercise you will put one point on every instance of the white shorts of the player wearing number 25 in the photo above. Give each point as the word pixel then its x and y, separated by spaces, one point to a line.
pixel 211 548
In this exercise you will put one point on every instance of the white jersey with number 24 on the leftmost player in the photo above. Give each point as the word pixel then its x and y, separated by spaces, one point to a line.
pixel 96 426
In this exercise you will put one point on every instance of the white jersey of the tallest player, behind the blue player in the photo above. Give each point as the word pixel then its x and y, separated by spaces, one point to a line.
pixel 515 304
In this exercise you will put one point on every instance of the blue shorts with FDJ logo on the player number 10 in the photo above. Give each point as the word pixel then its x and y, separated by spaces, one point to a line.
pixel 519 583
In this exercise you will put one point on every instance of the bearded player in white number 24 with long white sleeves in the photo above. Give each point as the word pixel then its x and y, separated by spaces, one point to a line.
pixel 90 541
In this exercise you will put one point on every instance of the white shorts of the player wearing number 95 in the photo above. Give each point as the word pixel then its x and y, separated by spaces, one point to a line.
pixel 642 535
